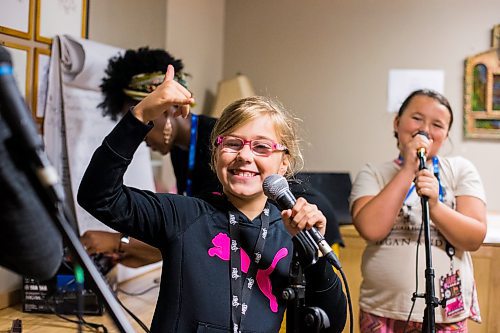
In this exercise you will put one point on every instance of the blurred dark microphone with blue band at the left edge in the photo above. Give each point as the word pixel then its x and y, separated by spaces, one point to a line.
pixel 17 116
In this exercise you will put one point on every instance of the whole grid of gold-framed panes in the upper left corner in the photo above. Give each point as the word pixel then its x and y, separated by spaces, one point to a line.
pixel 26 30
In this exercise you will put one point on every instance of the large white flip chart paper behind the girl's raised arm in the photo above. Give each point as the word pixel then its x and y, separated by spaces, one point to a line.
pixel 74 126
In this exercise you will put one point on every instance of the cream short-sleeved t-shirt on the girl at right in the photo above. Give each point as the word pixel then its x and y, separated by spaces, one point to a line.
pixel 389 266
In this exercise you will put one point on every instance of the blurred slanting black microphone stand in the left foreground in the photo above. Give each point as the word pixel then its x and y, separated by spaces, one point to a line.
pixel 51 194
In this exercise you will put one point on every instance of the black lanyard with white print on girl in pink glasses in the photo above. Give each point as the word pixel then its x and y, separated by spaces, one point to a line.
pixel 241 289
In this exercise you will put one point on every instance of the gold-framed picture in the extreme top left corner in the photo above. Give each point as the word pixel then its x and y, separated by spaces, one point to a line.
pixel 15 18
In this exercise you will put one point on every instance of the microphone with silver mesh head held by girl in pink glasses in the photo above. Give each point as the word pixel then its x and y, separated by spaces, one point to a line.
pixel 276 188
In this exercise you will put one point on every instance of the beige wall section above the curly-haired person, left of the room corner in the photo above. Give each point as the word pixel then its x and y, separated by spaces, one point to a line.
pixel 191 30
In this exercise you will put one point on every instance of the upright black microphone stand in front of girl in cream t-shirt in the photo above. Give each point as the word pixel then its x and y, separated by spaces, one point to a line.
pixel 431 302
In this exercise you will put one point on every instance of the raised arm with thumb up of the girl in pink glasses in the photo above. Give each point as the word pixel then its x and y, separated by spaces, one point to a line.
pixel 102 192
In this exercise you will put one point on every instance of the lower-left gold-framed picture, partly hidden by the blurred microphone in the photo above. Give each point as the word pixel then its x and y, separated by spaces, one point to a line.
pixel 21 63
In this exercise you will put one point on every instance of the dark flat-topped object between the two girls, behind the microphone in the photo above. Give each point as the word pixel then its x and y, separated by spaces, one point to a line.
pixel 336 187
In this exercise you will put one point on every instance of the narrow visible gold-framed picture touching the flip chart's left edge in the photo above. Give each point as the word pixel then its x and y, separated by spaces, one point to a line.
pixel 40 81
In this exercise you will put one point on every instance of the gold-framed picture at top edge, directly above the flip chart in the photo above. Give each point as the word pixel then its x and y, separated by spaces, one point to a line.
pixel 58 17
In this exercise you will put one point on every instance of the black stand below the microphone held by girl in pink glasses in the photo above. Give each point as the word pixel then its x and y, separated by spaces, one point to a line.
pixel 299 317
